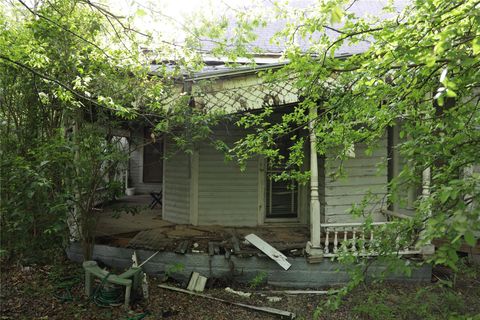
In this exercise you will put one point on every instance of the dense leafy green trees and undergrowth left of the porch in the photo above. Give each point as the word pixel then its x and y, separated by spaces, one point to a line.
pixel 71 72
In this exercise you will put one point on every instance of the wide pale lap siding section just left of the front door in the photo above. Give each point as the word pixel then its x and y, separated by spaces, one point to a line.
pixel 226 195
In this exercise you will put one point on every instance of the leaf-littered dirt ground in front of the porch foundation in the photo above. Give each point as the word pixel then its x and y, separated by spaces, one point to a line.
pixel 57 292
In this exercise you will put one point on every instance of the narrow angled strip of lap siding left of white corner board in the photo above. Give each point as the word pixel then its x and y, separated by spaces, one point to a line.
pixel 177 186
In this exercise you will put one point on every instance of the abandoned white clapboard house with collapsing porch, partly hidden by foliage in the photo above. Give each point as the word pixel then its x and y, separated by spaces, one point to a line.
pixel 202 206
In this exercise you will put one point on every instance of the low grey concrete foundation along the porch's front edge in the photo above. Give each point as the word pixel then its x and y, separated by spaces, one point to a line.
pixel 242 269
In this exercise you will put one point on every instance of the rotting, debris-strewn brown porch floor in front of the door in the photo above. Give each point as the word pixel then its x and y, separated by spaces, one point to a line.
pixel 130 223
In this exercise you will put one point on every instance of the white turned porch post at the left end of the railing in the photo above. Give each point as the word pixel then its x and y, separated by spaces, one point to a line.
pixel 314 199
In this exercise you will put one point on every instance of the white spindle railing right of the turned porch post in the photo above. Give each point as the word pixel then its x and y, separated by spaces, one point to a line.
pixel 356 238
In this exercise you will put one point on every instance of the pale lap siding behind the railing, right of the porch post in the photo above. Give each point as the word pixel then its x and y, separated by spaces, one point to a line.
pixel 365 174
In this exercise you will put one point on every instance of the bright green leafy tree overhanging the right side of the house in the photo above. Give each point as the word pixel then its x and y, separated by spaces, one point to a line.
pixel 420 73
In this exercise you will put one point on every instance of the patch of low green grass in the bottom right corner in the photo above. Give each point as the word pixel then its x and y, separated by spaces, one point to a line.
pixel 456 298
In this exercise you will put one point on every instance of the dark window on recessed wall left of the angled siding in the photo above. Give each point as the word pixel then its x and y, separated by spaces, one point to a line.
pixel 152 158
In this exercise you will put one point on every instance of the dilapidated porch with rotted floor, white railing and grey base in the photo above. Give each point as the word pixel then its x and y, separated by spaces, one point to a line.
pixel 220 252
